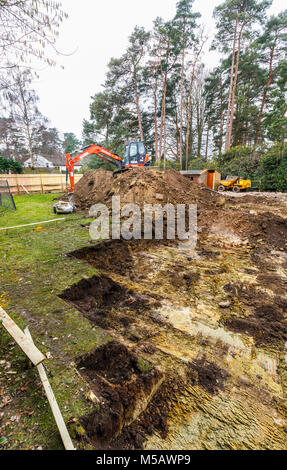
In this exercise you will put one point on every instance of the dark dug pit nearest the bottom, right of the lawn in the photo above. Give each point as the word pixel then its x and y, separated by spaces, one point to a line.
pixel 124 384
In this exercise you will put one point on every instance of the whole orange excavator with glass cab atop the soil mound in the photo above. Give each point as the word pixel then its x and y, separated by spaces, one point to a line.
pixel 135 156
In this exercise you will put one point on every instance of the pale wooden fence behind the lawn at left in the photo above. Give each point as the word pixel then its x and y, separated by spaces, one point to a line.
pixel 37 183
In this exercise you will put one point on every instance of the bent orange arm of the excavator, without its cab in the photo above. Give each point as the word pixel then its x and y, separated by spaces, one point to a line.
pixel 92 149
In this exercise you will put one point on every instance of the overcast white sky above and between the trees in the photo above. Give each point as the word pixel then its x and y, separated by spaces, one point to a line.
pixel 98 30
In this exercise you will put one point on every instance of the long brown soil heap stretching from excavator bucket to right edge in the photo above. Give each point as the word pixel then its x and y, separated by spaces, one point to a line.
pixel 146 186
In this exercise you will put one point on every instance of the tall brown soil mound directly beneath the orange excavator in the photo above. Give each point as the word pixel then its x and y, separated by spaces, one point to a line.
pixel 140 186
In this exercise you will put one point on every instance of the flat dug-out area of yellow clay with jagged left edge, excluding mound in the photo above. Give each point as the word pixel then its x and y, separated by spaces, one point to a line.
pixel 203 383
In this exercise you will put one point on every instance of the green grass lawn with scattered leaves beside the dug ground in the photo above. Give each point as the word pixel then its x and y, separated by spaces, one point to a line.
pixel 34 270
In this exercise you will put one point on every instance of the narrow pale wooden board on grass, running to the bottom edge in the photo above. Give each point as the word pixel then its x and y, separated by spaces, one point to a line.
pixel 53 403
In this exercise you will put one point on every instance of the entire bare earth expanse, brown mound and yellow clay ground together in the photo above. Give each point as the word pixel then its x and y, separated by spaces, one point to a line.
pixel 198 352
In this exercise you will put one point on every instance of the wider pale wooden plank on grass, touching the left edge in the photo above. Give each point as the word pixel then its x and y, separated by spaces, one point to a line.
pixel 29 348
